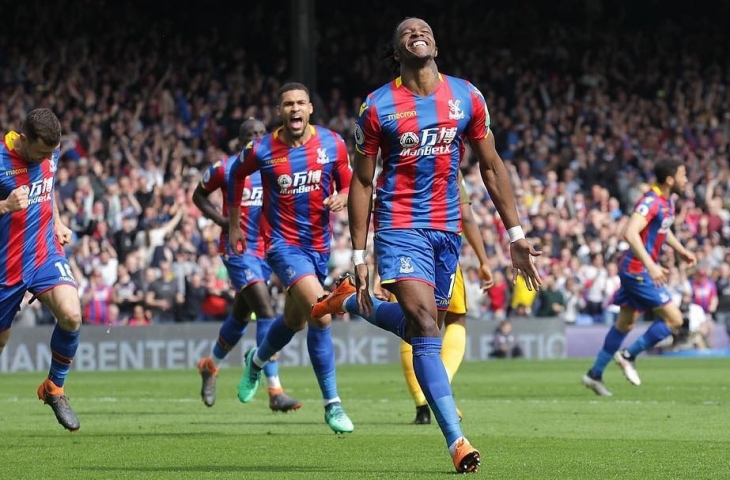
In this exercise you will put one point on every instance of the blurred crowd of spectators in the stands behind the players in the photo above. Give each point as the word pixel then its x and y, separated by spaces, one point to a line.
pixel 584 96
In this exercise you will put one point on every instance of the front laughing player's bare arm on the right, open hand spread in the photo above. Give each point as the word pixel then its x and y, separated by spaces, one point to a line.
pixel 497 180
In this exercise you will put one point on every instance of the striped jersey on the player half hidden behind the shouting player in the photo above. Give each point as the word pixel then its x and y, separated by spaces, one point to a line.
pixel 252 224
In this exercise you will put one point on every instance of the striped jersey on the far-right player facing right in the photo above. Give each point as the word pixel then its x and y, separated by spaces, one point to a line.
pixel 659 213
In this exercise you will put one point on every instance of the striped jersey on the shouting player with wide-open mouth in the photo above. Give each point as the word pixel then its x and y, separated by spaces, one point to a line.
pixel 296 180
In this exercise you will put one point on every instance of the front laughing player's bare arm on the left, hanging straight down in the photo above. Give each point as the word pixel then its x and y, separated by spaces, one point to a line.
pixel 358 210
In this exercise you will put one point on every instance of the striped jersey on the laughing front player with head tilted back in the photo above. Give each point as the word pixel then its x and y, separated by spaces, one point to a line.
pixel 421 141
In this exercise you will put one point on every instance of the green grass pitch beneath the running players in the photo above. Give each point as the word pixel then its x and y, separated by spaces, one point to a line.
pixel 531 420
